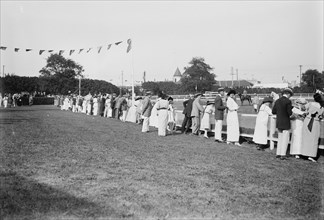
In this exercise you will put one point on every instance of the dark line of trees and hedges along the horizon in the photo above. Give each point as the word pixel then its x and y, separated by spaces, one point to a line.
pixel 61 76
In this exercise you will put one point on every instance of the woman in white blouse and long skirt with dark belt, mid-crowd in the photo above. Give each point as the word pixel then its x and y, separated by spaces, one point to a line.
pixel 162 106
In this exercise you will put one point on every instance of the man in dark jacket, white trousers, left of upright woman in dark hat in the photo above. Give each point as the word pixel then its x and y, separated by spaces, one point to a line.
pixel 219 115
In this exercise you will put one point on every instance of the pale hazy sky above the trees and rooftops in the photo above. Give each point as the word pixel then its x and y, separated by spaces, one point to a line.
pixel 262 39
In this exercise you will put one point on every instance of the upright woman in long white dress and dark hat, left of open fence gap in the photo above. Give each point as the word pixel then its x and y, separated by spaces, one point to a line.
pixel 233 129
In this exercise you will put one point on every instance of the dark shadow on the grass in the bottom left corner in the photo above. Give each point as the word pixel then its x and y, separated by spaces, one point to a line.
pixel 22 197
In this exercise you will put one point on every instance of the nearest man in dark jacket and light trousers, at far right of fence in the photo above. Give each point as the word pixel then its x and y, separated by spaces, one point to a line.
pixel 283 109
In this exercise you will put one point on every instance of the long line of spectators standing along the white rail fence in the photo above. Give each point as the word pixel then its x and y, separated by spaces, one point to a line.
pixel 301 118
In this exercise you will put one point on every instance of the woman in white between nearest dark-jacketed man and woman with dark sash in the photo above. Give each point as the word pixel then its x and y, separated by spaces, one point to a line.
pixel 299 113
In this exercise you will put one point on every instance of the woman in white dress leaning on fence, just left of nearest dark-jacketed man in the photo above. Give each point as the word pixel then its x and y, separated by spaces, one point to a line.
pixel 260 136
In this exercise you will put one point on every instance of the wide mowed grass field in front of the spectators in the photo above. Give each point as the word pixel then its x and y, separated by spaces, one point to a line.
pixel 62 165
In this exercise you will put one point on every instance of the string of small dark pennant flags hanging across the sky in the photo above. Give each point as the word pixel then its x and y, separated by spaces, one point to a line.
pixel 71 51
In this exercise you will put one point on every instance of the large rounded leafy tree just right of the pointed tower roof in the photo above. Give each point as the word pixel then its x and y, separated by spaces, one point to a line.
pixel 198 76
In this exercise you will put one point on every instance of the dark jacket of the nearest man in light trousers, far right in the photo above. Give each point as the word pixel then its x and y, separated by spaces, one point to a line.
pixel 283 109
